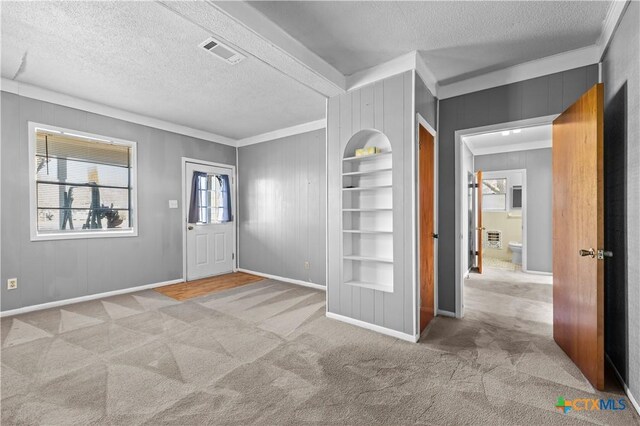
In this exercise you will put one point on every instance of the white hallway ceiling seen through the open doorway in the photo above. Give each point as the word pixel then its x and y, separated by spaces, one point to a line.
pixel 497 141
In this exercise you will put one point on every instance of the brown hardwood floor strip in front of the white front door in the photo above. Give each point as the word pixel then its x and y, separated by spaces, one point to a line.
pixel 205 286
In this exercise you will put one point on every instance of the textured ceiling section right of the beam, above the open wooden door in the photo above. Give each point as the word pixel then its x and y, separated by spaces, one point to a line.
pixel 458 39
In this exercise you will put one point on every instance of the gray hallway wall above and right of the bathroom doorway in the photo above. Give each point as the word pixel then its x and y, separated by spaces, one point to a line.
pixel 537 162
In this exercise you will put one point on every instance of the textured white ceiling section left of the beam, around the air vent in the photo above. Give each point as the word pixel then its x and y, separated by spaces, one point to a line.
pixel 143 58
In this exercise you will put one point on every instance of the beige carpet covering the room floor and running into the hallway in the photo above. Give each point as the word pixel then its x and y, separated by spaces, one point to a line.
pixel 265 354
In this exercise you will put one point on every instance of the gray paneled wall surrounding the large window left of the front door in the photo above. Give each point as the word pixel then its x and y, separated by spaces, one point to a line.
pixel 56 270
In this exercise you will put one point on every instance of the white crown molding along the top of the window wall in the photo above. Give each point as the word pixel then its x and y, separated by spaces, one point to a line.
pixel 39 93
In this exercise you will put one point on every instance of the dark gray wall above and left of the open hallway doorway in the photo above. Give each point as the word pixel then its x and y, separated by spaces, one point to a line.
pixel 537 97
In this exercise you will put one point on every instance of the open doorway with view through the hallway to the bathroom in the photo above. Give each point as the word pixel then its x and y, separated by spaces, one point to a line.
pixel 505 225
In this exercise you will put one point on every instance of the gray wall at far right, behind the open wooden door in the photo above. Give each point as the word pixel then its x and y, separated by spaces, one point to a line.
pixel 621 74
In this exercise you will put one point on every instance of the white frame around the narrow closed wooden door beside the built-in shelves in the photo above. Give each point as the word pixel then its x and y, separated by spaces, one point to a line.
pixel 421 121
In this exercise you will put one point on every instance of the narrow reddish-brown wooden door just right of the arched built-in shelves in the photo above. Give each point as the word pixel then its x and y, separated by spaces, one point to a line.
pixel 426 167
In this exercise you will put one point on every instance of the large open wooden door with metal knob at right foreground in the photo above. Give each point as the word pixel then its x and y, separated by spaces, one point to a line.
pixel 578 233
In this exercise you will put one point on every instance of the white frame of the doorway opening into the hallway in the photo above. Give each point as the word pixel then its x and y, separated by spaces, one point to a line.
pixel 460 250
